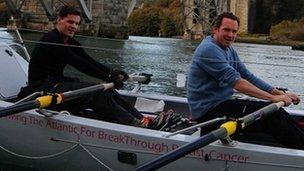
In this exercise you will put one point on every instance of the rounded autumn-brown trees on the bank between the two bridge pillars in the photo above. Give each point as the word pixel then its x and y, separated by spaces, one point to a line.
pixel 157 18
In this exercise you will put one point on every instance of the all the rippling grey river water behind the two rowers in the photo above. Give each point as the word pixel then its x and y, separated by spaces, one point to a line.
pixel 165 58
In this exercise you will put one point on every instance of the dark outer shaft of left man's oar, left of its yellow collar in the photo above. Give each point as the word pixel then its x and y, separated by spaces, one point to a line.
pixel 19 108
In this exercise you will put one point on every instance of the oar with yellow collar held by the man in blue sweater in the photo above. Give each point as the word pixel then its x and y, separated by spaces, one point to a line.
pixel 226 129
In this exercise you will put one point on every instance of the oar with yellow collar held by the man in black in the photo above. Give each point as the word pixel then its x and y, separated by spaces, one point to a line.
pixel 47 100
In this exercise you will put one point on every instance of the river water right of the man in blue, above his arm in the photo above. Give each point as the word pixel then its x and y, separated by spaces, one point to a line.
pixel 278 65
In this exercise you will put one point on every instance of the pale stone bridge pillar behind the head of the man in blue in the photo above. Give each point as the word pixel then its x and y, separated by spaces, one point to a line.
pixel 200 14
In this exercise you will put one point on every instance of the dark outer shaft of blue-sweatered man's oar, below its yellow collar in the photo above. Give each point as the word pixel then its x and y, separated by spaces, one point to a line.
pixel 182 151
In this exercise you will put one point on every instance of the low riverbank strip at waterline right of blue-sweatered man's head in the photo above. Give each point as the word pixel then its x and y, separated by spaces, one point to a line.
pixel 264 39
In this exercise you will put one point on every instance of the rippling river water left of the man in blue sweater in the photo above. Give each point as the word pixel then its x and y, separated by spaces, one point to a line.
pixel 162 57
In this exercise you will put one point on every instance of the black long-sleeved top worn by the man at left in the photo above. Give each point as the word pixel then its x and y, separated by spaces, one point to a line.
pixel 49 60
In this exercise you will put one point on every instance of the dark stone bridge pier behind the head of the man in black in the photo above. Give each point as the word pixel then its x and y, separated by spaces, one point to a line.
pixel 106 18
